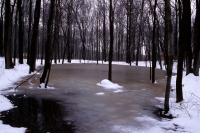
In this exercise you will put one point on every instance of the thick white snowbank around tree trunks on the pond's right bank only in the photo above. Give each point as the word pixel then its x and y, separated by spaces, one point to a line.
pixel 187 112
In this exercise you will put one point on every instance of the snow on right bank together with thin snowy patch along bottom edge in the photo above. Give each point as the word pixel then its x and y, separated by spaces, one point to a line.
pixel 186 113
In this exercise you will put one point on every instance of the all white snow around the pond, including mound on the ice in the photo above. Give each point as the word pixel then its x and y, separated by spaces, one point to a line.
pixel 186 113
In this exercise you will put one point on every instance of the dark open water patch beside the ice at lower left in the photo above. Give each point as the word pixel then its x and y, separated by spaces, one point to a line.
pixel 37 115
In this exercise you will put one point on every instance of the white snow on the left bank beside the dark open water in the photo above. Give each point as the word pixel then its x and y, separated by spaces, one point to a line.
pixel 8 77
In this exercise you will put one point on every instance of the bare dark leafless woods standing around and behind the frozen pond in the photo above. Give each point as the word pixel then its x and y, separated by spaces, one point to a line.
pixel 115 30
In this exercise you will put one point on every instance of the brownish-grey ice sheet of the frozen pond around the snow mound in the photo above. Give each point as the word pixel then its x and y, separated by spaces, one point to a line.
pixel 91 108
